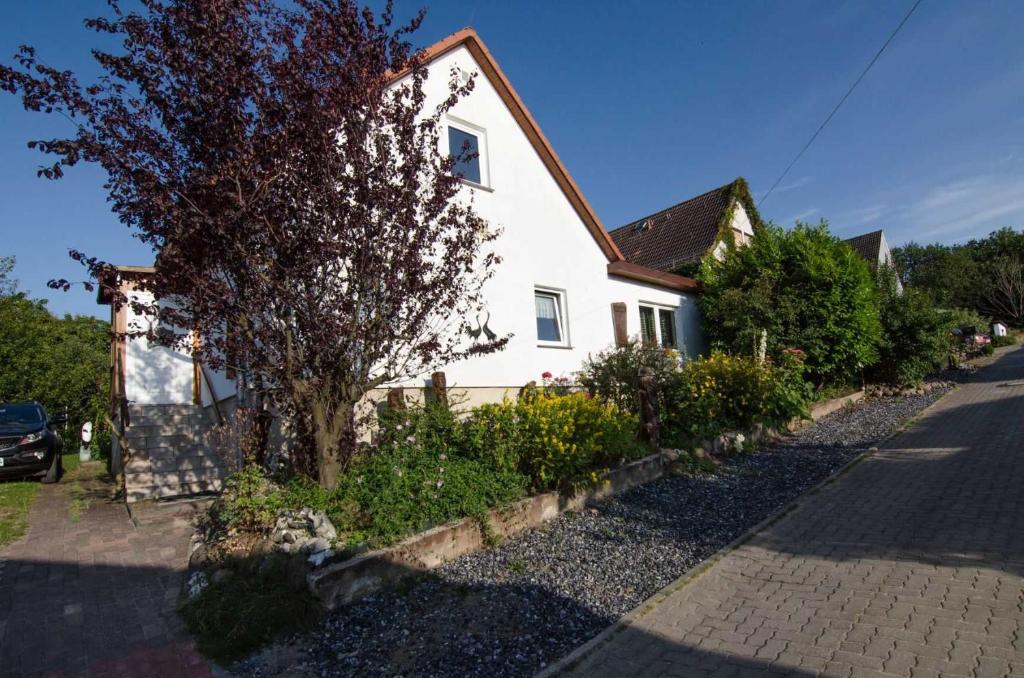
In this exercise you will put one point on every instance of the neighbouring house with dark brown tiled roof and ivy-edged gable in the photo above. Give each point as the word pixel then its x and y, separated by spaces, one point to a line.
pixel 677 238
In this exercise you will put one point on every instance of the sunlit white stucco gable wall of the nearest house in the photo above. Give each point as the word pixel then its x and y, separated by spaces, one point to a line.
pixel 544 244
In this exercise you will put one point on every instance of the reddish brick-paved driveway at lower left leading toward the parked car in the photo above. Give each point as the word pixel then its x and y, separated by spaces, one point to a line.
pixel 95 598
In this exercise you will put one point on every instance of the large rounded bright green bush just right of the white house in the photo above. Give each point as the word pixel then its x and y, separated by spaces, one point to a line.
pixel 805 289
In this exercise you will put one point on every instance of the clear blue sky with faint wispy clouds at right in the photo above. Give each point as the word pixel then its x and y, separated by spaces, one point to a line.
pixel 650 104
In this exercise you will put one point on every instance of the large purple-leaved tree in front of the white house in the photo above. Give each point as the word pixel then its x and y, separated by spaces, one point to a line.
pixel 305 219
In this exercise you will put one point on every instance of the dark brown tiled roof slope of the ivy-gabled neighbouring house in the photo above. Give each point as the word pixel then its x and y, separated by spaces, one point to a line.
pixel 675 236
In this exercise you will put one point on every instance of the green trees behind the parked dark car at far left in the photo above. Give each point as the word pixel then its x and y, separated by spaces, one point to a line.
pixel 58 362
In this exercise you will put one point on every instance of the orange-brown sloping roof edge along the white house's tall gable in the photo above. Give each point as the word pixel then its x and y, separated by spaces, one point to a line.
pixel 468 38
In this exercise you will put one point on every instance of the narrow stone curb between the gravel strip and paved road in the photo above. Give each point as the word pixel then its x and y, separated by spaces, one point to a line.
pixel 583 652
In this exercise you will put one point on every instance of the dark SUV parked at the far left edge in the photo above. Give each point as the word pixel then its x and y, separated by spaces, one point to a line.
pixel 28 445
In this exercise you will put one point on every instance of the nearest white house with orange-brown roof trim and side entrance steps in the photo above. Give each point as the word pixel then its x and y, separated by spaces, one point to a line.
pixel 564 290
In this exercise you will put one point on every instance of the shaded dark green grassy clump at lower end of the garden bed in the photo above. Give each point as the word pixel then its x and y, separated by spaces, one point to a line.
pixel 232 619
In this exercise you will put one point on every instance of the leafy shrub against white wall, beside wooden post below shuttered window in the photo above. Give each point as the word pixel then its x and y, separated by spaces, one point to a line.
pixel 615 374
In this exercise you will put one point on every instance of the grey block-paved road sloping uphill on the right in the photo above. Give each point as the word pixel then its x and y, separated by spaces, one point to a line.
pixel 912 565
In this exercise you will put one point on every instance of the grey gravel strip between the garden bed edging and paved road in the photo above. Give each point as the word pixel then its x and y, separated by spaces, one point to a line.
pixel 510 611
